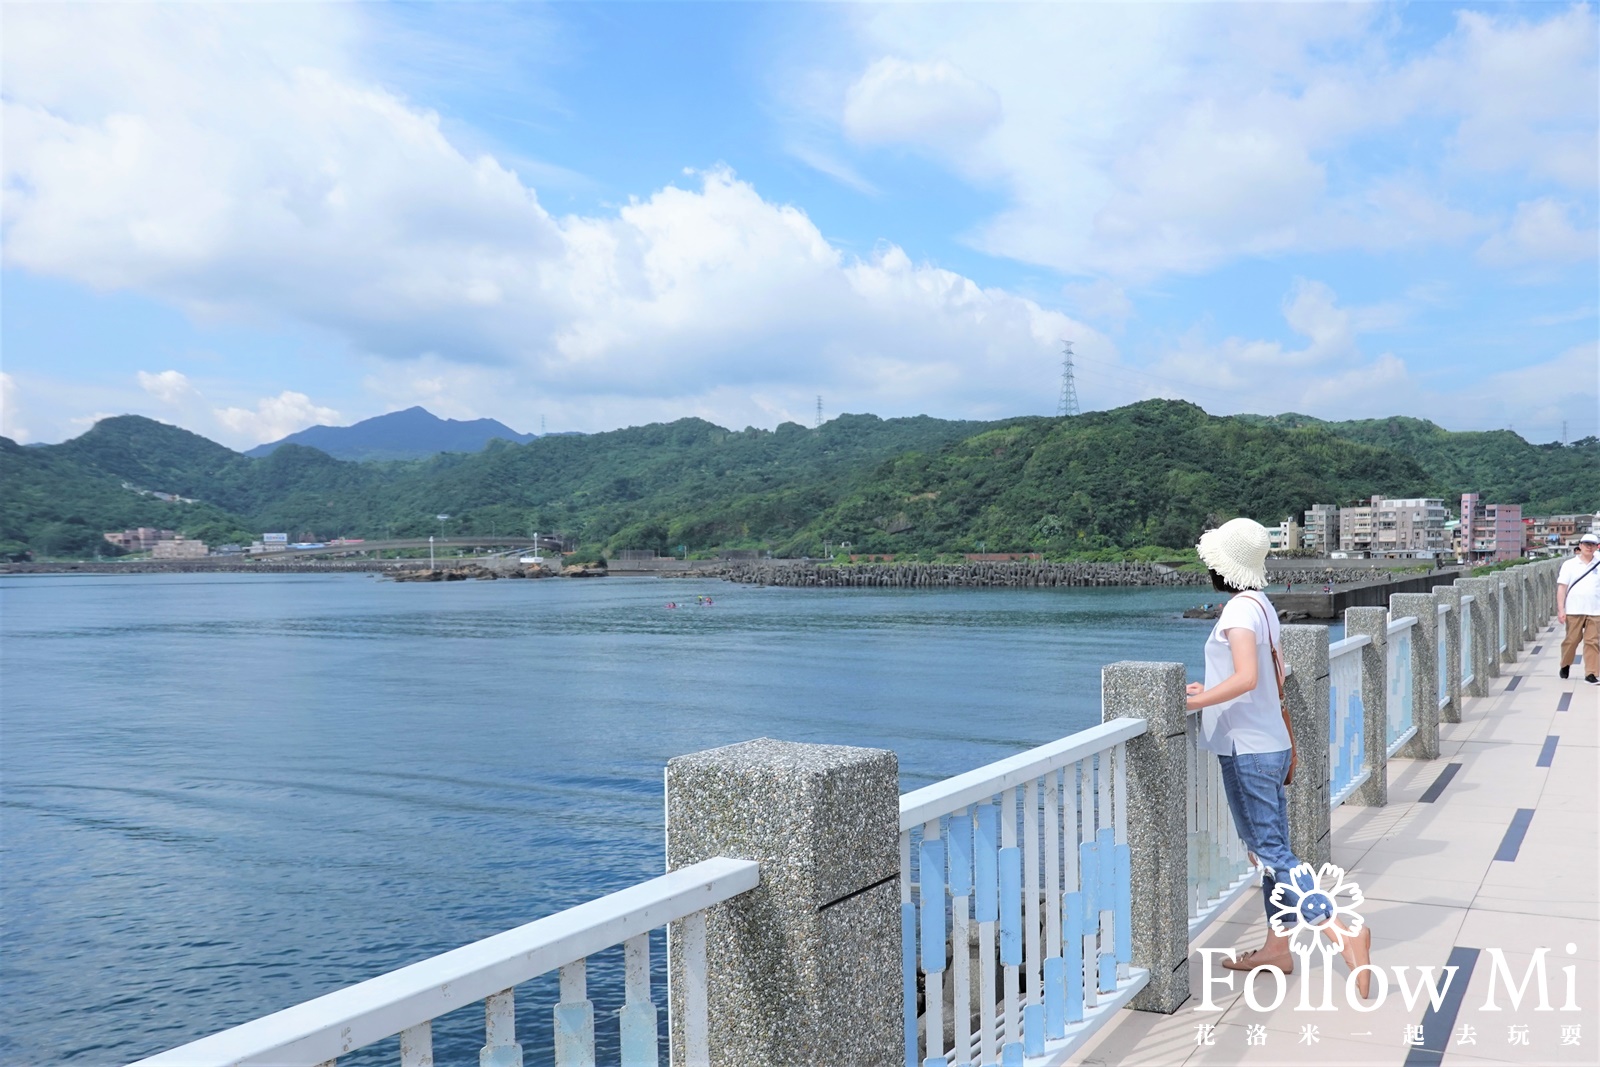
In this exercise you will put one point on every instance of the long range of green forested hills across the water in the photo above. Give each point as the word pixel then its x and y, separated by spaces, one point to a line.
pixel 1150 474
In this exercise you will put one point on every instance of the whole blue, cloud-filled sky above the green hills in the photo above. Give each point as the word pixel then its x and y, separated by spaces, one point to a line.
pixel 247 220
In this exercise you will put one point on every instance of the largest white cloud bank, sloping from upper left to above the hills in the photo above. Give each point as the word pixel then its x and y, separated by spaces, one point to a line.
pixel 241 172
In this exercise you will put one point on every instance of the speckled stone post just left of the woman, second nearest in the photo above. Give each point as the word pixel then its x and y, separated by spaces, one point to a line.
pixel 1158 829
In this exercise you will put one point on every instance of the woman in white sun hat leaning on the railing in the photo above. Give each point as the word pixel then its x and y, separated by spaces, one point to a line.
pixel 1246 724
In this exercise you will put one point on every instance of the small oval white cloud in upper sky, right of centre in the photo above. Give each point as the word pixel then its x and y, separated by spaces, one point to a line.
pixel 932 103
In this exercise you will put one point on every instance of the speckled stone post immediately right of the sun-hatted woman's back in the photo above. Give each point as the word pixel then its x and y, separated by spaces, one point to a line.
pixel 1306 693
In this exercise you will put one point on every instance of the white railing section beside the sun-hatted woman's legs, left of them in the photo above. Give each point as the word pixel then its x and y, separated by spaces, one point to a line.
pixel 1220 868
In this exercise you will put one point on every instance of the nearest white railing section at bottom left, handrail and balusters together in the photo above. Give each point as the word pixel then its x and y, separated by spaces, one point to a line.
pixel 406 1002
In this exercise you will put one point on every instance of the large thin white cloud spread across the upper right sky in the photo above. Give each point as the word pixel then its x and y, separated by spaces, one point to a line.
pixel 1146 140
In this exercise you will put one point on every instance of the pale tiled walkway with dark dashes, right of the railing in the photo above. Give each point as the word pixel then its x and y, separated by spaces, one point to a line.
pixel 1441 877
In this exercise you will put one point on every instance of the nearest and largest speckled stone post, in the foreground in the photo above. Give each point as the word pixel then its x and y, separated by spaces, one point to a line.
pixel 807 967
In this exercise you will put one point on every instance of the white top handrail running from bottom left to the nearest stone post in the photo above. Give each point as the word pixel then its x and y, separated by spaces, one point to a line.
pixel 338 1023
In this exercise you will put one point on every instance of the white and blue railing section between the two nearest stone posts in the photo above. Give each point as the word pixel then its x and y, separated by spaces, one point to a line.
pixel 1057 839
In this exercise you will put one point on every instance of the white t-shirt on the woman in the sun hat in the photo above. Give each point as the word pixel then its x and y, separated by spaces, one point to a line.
pixel 1255 721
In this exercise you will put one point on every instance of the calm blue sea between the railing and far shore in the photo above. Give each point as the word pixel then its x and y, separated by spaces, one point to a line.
pixel 228 794
